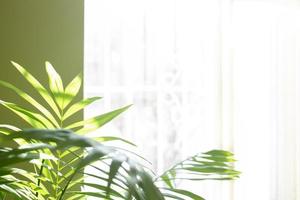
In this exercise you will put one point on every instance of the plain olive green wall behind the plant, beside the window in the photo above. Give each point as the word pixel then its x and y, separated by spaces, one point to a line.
pixel 33 31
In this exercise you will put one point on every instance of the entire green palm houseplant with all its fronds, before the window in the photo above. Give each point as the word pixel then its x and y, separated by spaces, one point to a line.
pixel 57 170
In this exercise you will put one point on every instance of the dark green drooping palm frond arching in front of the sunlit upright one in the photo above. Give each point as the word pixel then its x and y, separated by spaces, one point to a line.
pixel 136 181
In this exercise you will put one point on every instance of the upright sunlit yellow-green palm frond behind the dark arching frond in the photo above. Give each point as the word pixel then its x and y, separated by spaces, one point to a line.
pixel 59 100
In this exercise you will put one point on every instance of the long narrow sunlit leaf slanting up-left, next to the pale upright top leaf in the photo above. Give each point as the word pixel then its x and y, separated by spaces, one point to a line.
pixel 38 87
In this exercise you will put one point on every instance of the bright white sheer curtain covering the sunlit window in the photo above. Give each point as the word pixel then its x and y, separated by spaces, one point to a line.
pixel 203 74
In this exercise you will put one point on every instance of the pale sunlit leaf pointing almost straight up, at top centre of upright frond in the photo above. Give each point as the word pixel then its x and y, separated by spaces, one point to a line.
pixel 55 84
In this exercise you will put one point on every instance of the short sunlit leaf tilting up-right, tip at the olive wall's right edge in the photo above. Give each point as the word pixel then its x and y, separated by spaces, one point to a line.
pixel 72 90
